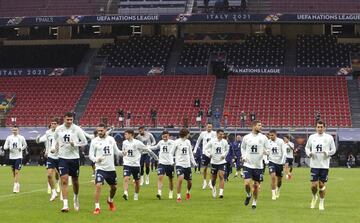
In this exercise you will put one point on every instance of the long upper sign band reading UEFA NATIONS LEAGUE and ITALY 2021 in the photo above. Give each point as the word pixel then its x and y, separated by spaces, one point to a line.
pixel 182 18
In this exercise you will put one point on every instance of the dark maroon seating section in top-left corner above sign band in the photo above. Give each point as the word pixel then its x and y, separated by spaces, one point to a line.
pixel 51 7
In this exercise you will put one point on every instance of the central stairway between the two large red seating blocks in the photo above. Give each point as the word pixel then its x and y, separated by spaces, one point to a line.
pixel 218 99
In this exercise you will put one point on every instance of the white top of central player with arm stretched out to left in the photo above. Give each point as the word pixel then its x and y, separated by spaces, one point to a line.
pixel 166 151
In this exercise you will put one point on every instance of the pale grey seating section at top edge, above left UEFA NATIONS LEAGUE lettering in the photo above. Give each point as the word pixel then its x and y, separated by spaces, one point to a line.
pixel 151 6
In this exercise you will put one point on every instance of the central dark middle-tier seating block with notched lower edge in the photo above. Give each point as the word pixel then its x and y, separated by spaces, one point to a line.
pixel 255 51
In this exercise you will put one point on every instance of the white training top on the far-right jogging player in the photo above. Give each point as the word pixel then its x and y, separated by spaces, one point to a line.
pixel 316 147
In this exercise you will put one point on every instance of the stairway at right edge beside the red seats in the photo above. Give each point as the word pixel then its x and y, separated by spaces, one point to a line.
pixel 354 101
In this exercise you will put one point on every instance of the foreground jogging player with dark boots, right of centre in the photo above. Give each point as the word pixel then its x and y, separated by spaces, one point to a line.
pixel 253 147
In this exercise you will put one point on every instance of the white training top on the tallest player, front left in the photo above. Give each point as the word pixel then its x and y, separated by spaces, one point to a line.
pixel 63 136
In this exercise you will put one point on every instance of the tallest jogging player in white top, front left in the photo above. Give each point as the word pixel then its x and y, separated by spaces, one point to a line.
pixel 68 139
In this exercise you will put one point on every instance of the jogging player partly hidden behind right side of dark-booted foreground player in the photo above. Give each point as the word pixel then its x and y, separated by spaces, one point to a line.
pixel 277 159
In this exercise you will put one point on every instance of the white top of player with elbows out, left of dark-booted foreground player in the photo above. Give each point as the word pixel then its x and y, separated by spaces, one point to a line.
pixel 217 150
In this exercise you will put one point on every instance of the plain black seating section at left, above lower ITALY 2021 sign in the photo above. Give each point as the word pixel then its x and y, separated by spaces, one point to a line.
pixel 42 56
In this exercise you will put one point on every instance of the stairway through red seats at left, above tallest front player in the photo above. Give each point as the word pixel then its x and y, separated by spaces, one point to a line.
pixel 84 99
